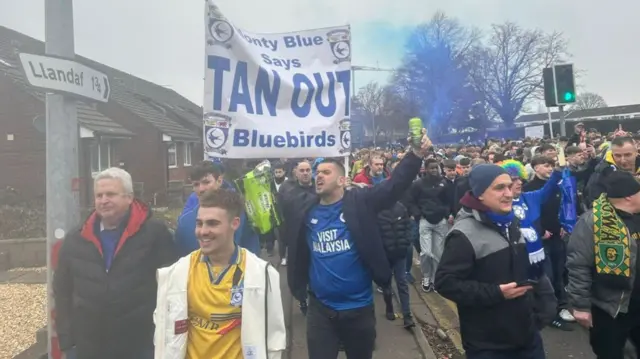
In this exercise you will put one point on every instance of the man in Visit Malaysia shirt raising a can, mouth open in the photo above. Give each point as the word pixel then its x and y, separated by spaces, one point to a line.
pixel 339 253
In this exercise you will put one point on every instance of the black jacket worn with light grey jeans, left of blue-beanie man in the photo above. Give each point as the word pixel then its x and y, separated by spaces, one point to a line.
pixel 427 199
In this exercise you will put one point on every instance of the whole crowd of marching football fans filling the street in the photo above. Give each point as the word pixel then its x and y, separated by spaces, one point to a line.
pixel 485 222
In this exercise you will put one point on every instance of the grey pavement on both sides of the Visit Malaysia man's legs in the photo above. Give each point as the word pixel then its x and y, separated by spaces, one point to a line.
pixel 393 341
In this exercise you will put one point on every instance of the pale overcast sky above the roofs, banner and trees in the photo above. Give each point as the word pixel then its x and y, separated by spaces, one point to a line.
pixel 163 40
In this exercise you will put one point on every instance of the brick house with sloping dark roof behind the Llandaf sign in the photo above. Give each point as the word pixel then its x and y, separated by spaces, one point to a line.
pixel 152 132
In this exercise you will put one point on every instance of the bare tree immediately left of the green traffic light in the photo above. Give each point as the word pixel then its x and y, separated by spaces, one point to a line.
pixel 507 71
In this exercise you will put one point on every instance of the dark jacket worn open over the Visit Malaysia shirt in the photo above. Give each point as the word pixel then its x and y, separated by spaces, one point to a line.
pixel 360 208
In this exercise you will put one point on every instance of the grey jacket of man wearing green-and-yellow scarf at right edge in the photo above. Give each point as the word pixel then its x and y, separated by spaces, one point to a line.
pixel 582 290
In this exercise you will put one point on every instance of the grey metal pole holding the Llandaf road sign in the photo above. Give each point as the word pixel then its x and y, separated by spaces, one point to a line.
pixel 63 208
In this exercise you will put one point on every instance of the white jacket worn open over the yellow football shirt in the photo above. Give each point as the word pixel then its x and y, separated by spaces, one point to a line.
pixel 263 333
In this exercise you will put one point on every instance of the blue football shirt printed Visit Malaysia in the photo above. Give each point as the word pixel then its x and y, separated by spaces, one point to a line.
pixel 337 275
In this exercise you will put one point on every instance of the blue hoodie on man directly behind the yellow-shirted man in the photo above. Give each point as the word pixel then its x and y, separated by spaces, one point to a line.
pixel 185 235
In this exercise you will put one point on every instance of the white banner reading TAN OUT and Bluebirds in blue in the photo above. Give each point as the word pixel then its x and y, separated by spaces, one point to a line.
pixel 275 95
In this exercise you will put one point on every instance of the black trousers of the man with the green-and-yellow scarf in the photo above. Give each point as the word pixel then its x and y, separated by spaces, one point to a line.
pixel 609 335
